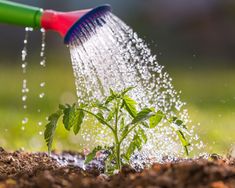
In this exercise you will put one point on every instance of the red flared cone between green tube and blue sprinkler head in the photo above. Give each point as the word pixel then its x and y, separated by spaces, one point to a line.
pixel 61 21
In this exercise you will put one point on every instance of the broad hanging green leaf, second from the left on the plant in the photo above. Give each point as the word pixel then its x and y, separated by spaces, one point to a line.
pixel 70 117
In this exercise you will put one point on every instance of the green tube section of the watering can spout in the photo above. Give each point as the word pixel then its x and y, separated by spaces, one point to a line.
pixel 18 14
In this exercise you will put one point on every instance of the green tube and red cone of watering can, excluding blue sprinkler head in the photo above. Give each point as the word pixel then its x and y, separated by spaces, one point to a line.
pixel 29 16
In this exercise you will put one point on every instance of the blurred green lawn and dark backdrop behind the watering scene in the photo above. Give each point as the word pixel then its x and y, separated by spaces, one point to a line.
pixel 194 40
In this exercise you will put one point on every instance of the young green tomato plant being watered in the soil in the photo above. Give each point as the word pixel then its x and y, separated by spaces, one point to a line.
pixel 119 114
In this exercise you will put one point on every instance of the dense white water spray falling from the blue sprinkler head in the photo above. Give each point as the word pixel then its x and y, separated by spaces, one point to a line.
pixel 113 56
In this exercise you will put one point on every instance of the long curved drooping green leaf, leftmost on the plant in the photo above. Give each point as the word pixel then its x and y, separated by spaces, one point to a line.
pixel 50 129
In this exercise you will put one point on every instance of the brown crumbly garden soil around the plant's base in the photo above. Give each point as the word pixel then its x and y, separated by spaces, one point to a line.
pixel 21 169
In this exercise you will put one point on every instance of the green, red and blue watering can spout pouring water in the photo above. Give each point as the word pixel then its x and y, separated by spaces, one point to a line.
pixel 64 23
